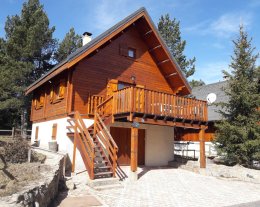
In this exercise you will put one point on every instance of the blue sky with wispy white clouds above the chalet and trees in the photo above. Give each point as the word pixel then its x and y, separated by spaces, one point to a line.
pixel 208 26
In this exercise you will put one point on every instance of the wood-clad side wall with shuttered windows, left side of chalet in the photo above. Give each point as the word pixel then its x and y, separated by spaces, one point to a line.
pixel 50 110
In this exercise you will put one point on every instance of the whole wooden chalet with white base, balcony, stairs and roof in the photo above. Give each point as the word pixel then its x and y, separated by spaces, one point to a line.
pixel 113 99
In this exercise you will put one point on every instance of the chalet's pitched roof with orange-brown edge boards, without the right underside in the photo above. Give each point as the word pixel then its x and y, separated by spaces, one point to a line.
pixel 82 52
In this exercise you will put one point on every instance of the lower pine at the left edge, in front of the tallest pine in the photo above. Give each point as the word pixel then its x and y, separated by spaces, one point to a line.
pixel 13 75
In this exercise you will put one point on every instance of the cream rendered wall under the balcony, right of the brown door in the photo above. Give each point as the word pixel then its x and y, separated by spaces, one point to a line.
pixel 159 143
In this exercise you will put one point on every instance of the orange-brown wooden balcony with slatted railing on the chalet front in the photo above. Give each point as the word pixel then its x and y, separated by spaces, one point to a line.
pixel 153 107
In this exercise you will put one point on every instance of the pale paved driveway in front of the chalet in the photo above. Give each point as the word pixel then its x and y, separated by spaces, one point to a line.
pixel 177 187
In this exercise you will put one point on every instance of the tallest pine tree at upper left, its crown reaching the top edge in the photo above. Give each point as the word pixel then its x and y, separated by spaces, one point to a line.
pixel 29 39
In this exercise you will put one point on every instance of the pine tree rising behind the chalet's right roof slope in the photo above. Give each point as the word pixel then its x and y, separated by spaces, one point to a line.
pixel 170 32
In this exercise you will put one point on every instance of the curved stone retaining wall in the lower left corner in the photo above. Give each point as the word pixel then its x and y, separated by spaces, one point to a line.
pixel 41 192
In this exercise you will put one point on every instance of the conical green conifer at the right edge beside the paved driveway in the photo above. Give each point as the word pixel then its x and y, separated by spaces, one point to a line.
pixel 238 134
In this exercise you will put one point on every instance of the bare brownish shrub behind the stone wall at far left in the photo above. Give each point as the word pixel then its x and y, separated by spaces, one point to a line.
pixel 16 151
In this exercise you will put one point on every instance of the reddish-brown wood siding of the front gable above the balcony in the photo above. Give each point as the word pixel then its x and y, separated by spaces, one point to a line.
pixel 92 74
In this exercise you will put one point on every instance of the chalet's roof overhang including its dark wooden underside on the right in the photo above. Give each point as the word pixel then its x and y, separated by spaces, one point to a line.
pixel 151 36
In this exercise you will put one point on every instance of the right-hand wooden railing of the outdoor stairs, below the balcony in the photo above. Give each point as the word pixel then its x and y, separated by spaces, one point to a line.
pixel 103 111
